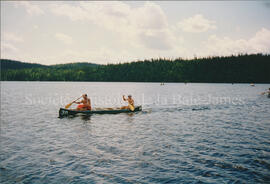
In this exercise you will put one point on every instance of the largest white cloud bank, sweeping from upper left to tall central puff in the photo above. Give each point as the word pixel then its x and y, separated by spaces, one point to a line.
pixel 146 25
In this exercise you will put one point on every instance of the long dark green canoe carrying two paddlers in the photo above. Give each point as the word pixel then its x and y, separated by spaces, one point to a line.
pixel 71 112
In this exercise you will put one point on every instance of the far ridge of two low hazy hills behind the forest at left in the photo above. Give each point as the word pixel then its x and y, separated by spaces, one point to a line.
pixel 12 64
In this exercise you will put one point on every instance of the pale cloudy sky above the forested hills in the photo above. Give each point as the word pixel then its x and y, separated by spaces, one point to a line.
pixel 102 32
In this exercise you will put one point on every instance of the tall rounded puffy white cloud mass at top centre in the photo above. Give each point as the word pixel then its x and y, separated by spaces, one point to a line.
pixel 150 25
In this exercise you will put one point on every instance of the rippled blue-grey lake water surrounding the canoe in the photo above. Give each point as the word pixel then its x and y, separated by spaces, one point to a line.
pixel 186 133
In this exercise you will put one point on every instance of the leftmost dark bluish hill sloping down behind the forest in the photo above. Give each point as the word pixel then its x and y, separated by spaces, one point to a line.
pixel 12 64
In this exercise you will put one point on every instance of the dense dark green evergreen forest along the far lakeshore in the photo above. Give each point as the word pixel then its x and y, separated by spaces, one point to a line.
pixel 253 68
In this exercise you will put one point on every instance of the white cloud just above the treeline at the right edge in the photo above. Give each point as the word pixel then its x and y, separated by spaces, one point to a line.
pixel 259 43
